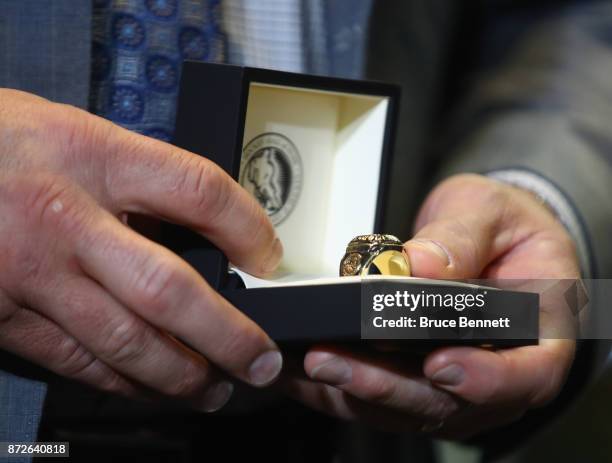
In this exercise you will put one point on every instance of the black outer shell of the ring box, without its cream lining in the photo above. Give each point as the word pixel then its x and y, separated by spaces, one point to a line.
pixel 211 116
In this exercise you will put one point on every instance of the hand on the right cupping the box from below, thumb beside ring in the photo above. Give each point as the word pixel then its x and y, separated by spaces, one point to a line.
pixel 469 227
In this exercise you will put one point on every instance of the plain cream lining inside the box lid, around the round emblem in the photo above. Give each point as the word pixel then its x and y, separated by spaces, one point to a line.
pixel 339 137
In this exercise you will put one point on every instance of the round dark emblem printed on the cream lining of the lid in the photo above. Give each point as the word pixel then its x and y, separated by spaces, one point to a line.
pixel 271 170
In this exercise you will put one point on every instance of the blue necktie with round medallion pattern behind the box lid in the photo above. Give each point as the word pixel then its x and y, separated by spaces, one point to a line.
pixel 137 50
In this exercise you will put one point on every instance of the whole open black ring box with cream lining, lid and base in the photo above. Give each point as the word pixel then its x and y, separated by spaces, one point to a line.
pixel 315 152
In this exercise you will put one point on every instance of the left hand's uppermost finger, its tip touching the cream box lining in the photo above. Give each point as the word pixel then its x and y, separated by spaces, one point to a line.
pixel 148 176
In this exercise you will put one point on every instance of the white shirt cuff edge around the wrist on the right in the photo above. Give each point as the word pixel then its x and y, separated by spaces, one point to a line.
pixel 556 200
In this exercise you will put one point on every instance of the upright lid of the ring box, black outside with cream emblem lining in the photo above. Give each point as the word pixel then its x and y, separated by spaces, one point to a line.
pixel 313 150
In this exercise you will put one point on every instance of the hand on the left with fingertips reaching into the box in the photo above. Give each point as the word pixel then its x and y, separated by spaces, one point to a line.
pixel 89 298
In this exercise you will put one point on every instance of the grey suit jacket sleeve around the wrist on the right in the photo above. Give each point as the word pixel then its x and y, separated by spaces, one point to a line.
pixel 544 104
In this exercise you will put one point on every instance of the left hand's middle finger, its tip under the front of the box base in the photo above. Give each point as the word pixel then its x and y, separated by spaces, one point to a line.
pixel 167 293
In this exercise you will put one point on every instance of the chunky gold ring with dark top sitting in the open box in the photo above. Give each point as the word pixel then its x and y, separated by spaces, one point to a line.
pixel 374 254
